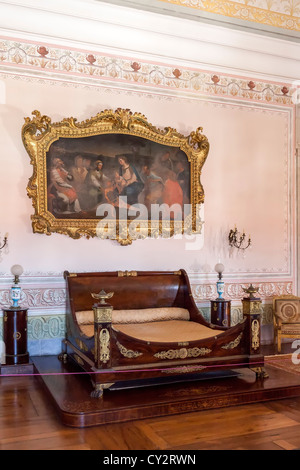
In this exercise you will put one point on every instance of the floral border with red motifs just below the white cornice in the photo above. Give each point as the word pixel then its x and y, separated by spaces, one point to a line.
pixel 83 66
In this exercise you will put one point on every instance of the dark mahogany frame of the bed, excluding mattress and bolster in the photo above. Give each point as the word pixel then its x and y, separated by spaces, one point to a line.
pixel 130 358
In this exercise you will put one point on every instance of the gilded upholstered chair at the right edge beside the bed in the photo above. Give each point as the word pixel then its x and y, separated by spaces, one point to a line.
pixel 286 318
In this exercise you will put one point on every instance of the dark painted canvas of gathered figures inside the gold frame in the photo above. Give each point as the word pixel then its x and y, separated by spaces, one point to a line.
pixel 116 169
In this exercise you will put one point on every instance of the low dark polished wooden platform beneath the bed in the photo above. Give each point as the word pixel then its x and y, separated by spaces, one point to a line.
pixel 70 390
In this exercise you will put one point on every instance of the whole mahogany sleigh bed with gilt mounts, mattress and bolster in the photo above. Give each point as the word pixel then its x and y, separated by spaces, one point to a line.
pixel 127 326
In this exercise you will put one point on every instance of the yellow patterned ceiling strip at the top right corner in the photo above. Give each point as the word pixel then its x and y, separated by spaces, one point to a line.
pixel 243 11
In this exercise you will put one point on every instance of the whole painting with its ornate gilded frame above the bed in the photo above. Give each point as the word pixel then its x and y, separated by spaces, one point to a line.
pixel 105 176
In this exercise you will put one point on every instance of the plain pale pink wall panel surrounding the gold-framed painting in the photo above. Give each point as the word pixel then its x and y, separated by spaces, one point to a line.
pixel 247 178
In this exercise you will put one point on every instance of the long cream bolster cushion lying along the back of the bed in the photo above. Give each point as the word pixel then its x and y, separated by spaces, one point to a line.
pixel 144 315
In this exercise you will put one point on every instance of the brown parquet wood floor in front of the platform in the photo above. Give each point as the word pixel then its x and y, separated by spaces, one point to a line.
pixel 28 421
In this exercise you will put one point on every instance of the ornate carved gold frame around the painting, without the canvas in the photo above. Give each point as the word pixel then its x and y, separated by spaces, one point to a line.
pixel 39 133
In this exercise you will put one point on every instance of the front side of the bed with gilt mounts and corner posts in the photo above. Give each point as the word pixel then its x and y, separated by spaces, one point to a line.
pixel 245 344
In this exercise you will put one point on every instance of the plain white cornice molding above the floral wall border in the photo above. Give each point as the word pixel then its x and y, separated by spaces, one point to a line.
pixel 125 31
